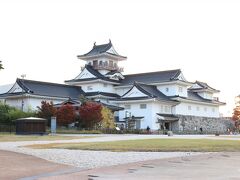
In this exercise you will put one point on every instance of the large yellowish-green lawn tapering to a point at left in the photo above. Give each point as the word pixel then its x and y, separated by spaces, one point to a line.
pixel 154 145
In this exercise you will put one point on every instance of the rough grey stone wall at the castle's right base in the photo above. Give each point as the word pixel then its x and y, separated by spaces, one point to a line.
pixel 194 124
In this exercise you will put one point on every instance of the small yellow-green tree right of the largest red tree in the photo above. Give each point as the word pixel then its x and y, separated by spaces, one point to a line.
pixel 107 118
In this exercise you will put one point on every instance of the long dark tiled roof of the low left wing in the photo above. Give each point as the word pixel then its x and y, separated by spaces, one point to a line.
pixel 50 89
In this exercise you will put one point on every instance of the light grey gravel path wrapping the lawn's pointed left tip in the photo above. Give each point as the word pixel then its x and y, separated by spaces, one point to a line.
pixel 91 159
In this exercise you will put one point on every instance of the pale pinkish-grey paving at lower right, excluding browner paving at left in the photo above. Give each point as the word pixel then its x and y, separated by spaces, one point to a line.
pixel 216 166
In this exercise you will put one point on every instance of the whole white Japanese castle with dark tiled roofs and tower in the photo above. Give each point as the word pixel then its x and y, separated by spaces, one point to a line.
pixel 147 98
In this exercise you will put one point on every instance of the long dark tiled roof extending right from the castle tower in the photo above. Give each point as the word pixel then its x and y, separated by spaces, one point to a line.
pixel 152 77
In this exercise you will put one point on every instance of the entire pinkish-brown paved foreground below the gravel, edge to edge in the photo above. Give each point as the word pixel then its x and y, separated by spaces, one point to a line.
pixel 211 166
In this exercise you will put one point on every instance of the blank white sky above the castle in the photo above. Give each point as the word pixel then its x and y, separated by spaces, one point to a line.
pixel 42 39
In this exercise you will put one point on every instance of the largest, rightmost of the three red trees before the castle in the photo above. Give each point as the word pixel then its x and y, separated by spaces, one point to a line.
pixel 90 114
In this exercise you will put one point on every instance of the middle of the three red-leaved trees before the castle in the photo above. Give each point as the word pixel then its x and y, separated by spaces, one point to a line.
pixel 66 114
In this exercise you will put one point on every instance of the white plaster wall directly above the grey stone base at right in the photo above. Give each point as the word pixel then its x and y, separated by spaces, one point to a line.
pixel 196 110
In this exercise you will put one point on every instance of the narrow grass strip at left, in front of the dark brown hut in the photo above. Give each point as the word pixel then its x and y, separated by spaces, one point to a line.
pixel 13 138
